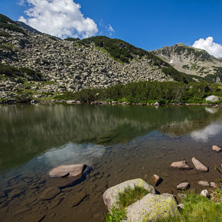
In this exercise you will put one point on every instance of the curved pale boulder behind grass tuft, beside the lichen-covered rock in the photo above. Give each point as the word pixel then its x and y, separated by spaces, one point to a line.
pixel 110 196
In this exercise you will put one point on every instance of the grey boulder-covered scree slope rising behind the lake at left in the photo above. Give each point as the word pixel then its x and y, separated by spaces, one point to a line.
pixel 65 65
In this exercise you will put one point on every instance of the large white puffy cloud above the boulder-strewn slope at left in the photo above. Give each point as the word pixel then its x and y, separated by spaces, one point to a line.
pixel 59 18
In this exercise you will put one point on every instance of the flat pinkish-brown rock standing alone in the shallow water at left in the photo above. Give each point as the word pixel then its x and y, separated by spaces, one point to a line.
pixel 67 170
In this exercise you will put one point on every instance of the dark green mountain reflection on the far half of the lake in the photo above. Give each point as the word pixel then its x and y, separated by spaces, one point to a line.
pixel 27 131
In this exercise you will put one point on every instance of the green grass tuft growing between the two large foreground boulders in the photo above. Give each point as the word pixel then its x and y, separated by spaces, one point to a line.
pixel 126 198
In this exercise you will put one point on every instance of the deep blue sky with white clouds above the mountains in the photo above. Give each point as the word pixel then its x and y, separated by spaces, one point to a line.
pixel 147 24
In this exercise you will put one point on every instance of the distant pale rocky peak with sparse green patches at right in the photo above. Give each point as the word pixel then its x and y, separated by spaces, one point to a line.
pixel 192 61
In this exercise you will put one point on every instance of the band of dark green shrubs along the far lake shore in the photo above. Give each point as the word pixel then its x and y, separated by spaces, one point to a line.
pixel 149 92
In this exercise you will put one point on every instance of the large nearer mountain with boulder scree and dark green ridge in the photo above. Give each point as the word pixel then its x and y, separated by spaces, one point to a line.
pixel 37 65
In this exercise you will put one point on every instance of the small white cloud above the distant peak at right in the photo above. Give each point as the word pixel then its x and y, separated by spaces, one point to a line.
pixel 210 46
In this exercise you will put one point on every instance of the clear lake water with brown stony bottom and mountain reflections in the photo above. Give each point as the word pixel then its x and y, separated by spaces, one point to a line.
pixel 119 142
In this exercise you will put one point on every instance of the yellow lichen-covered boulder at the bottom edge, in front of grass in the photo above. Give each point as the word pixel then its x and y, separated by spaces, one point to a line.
pixel 151 208
